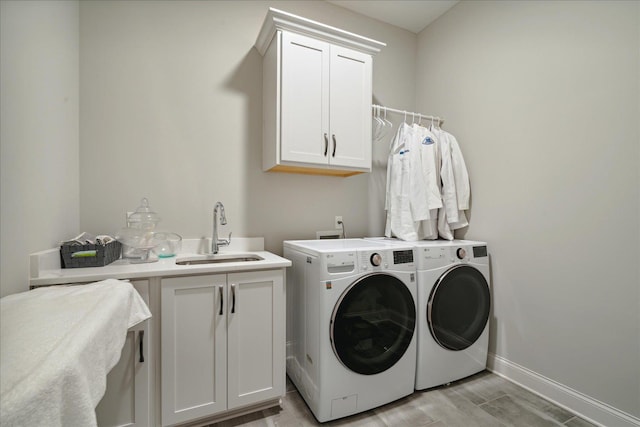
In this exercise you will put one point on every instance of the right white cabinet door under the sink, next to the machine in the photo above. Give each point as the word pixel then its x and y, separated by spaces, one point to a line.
pixel 256 337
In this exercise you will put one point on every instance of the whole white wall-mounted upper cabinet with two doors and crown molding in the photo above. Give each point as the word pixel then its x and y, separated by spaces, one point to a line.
pixel 317 83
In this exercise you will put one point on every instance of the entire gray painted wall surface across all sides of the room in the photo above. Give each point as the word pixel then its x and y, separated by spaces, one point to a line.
pixel 542 96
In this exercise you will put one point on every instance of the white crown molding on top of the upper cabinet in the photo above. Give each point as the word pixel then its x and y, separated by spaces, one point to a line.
pixel 277 20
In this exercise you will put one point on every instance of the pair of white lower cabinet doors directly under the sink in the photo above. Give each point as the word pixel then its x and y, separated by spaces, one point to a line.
pixel 222 343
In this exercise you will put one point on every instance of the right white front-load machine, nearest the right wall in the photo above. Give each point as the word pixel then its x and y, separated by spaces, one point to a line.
pixel 454 301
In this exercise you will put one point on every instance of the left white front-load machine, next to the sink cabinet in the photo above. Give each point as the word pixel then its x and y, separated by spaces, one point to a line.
pixel 351 320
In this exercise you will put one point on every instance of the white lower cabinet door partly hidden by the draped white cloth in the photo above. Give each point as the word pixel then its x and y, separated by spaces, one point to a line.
pixel 126 401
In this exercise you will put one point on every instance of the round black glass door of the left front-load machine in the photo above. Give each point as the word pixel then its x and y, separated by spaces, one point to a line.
pixel 373 323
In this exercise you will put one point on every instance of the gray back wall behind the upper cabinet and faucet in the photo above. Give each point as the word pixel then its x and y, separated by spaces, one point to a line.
pixel 171 97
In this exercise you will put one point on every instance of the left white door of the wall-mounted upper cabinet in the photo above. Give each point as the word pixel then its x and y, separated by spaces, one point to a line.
pixel 305 100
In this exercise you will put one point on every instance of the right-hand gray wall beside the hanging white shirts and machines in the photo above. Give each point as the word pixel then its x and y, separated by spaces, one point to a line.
pixel 544 100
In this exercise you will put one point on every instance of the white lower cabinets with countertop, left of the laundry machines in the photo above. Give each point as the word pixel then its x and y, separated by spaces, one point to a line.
pixel 214 347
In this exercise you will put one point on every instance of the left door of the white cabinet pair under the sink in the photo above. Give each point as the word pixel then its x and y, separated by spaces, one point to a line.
pixel 193 347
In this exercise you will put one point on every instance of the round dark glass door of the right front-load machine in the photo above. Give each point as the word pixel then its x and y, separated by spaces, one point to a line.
pixel 458 307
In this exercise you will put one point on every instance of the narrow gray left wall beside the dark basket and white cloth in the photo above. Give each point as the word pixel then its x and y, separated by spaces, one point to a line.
pixel 39 190
